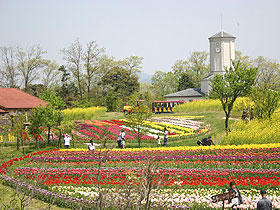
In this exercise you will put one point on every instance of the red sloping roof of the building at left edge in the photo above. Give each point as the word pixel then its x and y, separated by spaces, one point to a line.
pixel 14 98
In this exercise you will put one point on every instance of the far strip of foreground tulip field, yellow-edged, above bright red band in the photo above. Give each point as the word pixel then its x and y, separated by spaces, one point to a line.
pixel 180 157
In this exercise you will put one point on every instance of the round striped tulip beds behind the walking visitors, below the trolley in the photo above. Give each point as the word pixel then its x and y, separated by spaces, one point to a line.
pixel 179 127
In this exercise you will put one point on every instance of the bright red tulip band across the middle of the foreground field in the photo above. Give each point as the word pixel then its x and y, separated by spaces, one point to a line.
pixel 162 176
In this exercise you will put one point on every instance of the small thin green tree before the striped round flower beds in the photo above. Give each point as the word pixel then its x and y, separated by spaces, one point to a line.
pixel 136 120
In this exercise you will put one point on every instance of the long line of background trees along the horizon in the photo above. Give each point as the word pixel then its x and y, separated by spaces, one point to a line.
pixel 89 77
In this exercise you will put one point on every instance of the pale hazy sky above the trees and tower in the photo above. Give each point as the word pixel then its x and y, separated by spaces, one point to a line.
pixel 160 31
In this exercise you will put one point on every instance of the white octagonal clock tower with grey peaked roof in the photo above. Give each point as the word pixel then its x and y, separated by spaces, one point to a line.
pixel 222 52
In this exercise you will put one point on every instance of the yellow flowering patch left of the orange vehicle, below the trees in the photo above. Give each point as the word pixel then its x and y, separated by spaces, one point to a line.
pixel 83 113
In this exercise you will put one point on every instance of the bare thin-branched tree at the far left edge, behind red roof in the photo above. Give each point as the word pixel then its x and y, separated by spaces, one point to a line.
pixel 8 72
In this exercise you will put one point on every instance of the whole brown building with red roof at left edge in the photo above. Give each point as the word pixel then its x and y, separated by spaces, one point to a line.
pixel 14 101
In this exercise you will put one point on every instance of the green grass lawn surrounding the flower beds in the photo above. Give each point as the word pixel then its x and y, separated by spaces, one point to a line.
pixel 9 152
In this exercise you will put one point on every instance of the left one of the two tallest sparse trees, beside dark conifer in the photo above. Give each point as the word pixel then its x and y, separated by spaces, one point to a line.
pixel 73 56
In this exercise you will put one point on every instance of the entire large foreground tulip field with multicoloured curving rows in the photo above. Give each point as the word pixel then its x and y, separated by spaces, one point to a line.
pixel 178 177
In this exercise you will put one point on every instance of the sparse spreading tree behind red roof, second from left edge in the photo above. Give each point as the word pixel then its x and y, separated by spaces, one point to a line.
pixel 30 62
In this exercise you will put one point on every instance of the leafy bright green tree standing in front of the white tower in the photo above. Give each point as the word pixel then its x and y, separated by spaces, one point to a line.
pixel 237 81
